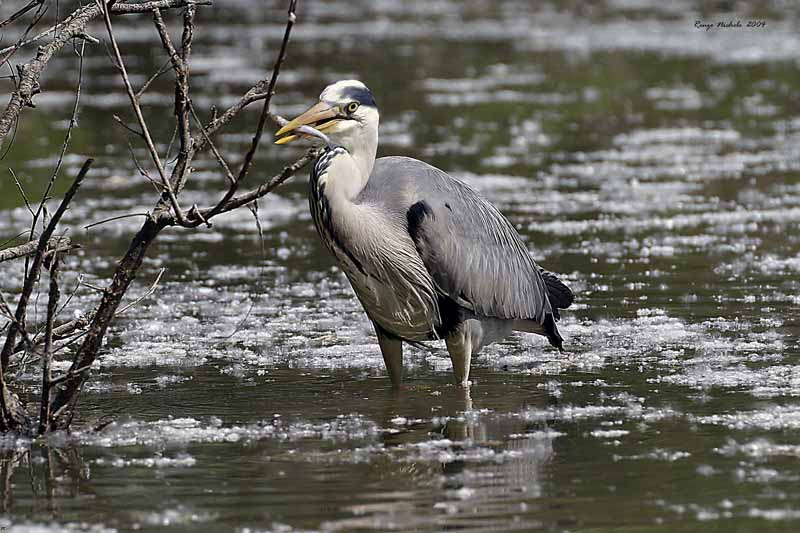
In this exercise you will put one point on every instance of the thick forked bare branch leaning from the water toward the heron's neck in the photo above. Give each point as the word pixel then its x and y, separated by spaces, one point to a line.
pixel 69 385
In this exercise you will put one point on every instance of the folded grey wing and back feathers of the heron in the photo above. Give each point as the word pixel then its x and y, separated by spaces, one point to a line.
pixel 471 251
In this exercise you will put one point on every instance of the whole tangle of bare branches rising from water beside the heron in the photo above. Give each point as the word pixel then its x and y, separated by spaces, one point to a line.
pixel 60 393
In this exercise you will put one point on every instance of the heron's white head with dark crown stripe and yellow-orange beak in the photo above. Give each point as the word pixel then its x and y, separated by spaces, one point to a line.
pixel 346 113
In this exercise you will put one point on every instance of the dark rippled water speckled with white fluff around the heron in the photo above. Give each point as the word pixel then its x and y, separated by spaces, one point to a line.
pixel 655 165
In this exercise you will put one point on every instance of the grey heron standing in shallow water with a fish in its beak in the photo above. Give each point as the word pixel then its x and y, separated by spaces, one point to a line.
pixel 427 256
